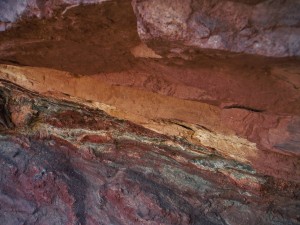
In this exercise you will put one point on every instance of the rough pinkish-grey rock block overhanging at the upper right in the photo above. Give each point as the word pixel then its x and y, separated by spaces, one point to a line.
pixel 258 27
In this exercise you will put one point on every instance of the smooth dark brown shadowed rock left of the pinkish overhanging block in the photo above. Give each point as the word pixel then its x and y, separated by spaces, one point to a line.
pixel 85 40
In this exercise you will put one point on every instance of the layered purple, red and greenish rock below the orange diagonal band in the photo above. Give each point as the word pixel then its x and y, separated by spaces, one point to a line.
pixel 69 164
